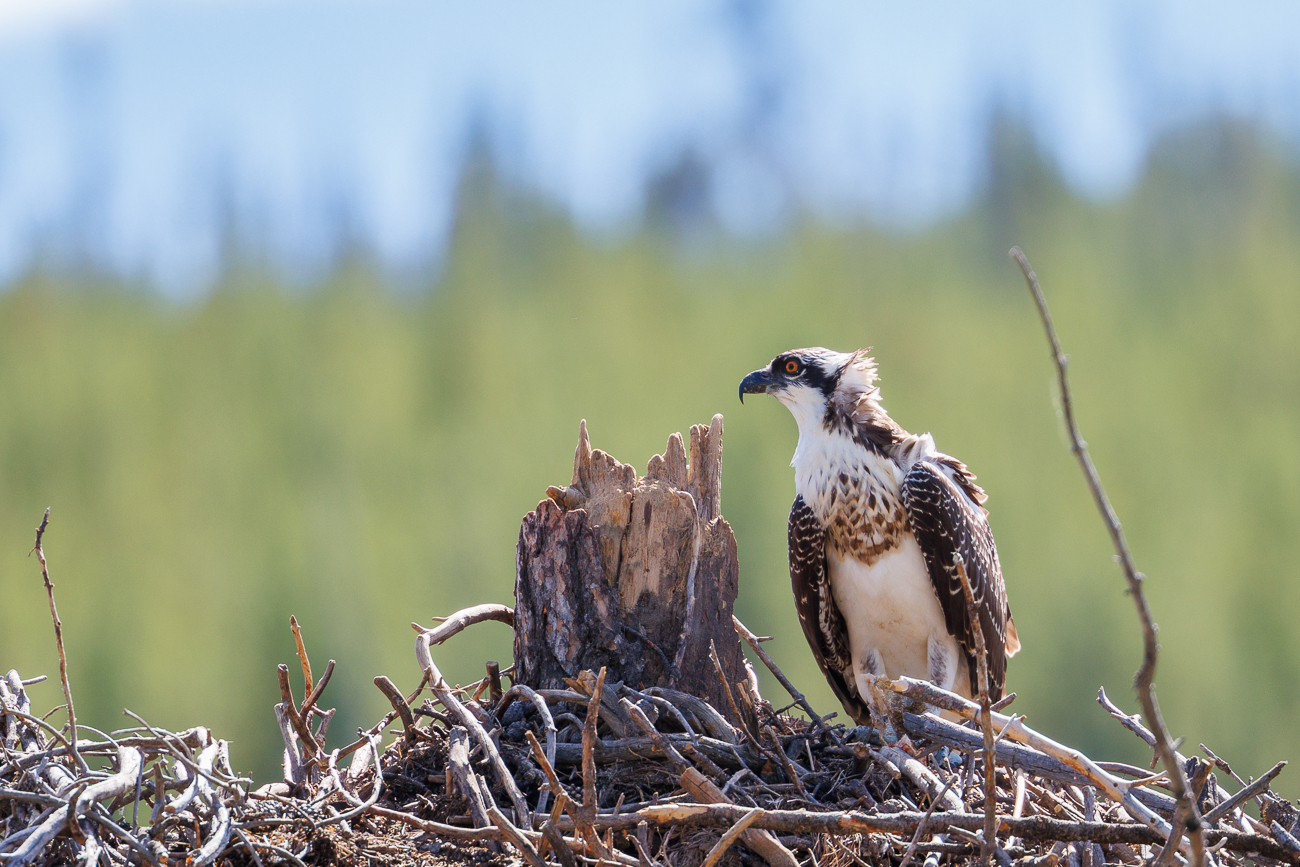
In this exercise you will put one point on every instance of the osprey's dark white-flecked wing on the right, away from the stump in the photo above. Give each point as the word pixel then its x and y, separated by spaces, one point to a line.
pixel 946 523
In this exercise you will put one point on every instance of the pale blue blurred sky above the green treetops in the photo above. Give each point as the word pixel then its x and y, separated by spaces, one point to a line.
pixel 133 132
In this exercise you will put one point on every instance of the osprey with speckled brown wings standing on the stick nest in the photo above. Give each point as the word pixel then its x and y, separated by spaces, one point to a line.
pixel 878 519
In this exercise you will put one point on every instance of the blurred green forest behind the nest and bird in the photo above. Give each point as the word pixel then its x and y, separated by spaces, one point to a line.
pixel 359 454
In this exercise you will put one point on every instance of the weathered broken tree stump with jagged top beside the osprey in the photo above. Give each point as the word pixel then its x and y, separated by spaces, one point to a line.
pixel 636 575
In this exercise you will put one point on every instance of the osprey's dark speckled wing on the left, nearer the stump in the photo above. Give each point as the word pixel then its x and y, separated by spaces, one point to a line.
pixel 824 625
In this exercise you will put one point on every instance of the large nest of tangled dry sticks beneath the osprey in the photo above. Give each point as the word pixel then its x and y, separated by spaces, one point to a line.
pixel 604 773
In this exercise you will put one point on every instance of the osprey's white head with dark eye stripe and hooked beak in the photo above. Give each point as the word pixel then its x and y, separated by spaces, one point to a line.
pixel 813 382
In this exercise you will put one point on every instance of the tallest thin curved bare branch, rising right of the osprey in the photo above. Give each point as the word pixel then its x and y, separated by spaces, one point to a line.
pixel 1145 679
